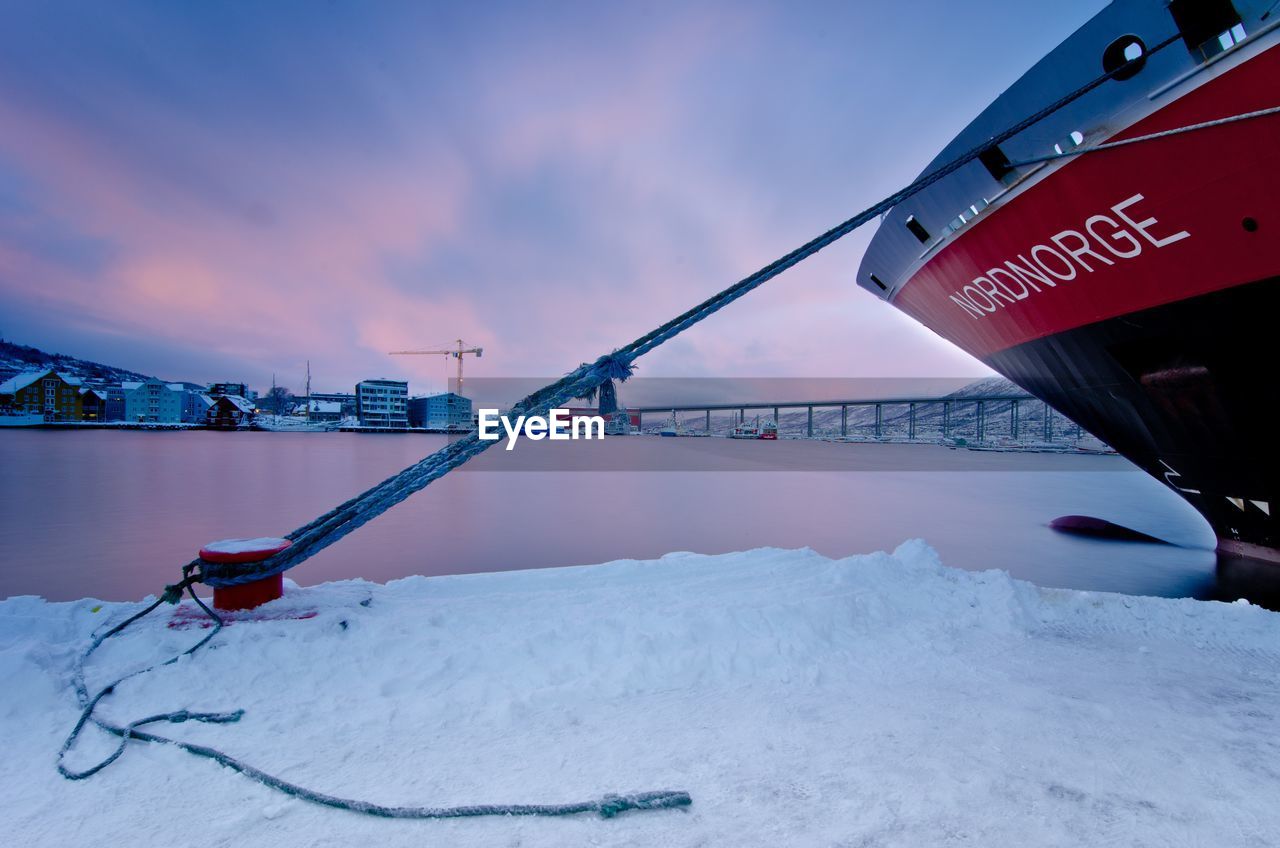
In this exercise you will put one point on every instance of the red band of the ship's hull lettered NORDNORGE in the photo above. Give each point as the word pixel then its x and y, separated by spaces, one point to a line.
pixel 1201 186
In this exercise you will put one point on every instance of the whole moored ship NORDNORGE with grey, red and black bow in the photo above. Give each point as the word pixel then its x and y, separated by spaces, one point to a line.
pixel 1132 286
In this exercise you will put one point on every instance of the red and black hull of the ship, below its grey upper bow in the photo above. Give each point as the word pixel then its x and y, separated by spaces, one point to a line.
pixel 1135 290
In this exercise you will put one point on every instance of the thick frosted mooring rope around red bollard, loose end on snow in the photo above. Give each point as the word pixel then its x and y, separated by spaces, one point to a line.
pixel 353 514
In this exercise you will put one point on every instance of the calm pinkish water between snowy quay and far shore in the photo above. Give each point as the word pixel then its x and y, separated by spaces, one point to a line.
pixel 115 514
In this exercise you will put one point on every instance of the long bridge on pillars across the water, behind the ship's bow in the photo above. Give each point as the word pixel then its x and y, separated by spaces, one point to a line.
pixel 915 407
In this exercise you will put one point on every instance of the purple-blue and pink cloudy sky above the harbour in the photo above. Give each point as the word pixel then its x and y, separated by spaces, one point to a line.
pixel 225 192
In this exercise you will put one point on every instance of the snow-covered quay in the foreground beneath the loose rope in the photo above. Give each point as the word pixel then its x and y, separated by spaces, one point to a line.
pixel 879 700
